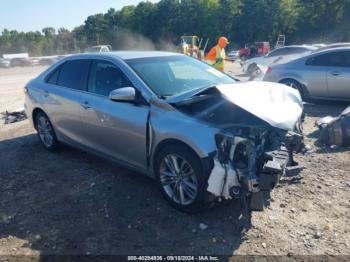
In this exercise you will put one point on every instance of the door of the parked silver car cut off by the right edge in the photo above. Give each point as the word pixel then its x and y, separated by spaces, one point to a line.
pixel 338 76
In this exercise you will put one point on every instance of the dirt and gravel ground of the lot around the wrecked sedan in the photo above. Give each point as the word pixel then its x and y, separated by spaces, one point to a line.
pixel 71 202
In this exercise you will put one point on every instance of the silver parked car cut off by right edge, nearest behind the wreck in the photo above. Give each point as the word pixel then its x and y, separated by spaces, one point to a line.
pixel 321 75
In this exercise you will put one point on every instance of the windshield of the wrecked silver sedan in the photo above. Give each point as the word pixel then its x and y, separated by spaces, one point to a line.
pixel 172 75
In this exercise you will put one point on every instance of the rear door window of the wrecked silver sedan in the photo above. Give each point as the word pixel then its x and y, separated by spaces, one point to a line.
pixel 73 74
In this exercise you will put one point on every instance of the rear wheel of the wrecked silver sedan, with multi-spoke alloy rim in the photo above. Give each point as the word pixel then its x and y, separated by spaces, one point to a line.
pixel 45 132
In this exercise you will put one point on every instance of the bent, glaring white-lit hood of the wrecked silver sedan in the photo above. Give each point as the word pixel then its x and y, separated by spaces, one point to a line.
pixel 279 105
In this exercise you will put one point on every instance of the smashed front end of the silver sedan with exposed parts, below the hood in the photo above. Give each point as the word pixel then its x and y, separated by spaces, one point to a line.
pixel 250 162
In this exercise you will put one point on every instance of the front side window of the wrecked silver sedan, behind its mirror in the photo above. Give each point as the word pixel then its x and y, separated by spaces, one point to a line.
pixel 105 77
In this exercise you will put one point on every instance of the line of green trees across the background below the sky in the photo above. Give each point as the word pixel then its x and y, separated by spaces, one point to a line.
pixel 159 25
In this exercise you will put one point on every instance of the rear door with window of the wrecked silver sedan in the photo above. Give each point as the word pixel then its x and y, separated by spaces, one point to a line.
pixel 63 94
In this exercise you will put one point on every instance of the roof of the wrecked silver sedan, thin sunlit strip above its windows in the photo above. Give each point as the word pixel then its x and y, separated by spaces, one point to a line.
pixel 134 54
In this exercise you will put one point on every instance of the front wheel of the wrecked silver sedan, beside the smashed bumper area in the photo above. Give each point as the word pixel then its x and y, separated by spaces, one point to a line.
pixel 192 182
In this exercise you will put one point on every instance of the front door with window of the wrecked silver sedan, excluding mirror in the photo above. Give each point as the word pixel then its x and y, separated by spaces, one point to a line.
pixel 116 129
